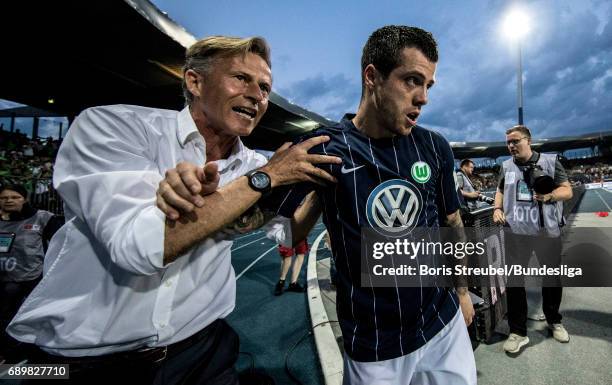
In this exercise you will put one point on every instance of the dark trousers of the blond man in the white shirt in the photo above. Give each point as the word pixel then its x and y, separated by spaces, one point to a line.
pixel 208 358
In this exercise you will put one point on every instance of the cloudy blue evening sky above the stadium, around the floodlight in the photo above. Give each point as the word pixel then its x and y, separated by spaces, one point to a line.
pixel 316 48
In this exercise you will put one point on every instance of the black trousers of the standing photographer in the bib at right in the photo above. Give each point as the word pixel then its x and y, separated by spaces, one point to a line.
pixel 519 250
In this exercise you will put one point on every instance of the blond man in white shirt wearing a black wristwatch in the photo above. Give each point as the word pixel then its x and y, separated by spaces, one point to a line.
pixel 126 292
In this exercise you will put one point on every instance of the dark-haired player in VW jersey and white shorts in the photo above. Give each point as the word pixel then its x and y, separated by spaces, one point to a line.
pixel 394 173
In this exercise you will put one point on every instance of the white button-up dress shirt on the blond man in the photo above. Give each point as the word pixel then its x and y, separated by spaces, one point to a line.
pixel 105 288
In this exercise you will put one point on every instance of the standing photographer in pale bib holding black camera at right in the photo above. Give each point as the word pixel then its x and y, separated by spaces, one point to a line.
pixel 530 192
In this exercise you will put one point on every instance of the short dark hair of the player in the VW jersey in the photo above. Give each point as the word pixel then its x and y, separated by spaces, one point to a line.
pixel 384 47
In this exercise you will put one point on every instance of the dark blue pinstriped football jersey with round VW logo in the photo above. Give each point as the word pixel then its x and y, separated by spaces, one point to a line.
pixel 414 175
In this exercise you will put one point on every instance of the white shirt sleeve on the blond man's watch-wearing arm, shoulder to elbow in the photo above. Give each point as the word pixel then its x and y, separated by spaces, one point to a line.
pixel 107 179
